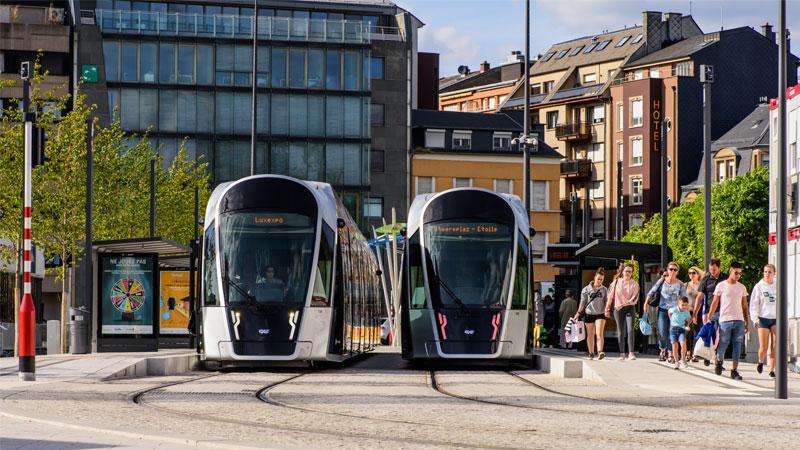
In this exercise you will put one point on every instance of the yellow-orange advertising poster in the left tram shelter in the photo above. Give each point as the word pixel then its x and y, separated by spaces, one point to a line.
pixel 174 303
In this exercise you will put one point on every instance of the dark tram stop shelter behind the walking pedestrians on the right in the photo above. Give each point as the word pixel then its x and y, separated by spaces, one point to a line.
pixel 608 254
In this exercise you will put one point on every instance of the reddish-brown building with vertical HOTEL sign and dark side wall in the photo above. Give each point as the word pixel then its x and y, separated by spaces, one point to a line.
pixel 665 84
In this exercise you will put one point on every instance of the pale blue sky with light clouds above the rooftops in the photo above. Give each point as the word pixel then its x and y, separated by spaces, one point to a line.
pixel 472 31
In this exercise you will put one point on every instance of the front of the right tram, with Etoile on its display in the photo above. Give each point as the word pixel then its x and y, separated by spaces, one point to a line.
pixel 466 277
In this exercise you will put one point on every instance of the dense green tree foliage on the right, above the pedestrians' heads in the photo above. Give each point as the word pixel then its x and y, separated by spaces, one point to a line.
pixel 739 226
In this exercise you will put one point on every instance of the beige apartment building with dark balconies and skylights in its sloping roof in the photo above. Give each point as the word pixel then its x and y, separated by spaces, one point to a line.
pixel 570 95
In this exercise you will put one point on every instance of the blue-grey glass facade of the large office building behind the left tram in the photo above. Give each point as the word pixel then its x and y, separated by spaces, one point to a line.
pixel 184 72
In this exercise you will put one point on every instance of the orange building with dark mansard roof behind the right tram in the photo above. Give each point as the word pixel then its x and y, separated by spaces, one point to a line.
pixel 458 149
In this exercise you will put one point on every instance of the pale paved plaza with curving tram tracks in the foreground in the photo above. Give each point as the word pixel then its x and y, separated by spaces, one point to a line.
pixel 379 401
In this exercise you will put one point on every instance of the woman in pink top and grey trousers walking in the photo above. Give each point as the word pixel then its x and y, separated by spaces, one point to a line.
pixel 623 295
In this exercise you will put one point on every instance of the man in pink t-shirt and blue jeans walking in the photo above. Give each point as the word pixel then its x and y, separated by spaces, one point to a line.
pixel 730 297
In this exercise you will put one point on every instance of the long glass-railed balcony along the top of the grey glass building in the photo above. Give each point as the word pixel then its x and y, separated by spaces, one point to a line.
pixel 238 27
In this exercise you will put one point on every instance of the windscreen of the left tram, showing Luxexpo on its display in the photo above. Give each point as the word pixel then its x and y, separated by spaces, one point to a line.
pixel 266 257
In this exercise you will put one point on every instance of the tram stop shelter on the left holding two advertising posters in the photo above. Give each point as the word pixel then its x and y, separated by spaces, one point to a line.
pixel 141 299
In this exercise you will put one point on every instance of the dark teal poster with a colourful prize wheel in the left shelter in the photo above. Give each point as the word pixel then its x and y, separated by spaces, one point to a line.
pixel 127 294
